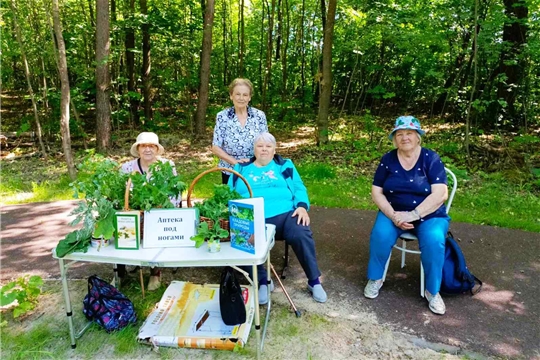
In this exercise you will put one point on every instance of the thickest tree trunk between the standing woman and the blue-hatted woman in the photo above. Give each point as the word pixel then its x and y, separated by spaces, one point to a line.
pixel 326 84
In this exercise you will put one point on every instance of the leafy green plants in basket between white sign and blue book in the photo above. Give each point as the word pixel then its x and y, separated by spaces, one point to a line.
pixel 214 213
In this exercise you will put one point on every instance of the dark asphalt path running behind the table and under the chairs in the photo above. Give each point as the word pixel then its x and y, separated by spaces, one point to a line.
pixel 503 320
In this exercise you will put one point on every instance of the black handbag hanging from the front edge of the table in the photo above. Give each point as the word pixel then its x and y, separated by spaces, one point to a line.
pixel 231 301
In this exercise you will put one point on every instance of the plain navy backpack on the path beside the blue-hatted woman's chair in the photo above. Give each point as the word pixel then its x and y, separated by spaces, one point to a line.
pixel 456 277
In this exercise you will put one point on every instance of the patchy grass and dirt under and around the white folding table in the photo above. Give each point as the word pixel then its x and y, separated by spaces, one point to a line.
pixel 44 334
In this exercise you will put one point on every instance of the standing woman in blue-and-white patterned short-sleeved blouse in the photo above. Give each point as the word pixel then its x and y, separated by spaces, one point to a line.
pixel 236 127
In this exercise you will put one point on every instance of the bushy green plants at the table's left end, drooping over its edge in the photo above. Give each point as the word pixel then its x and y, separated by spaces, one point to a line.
pixel 102 185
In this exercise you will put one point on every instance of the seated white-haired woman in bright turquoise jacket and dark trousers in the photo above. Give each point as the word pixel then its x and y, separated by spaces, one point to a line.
pixel 286 206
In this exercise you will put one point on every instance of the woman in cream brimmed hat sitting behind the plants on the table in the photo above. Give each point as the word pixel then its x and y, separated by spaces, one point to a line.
pixel 147 150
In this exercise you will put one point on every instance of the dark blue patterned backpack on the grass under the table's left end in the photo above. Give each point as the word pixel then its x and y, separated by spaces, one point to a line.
pixel 107 306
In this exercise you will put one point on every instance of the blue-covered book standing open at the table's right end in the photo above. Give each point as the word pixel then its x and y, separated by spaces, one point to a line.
pixel 247 223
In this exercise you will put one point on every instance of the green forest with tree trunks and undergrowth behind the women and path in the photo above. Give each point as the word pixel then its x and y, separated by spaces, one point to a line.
pixel 469 69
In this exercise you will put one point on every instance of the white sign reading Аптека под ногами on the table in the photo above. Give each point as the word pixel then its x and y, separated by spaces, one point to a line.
pixel 170 227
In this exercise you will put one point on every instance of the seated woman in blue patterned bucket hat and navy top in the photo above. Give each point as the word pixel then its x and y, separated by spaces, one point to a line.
pixel 409 188
